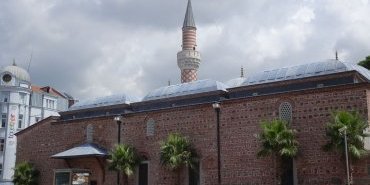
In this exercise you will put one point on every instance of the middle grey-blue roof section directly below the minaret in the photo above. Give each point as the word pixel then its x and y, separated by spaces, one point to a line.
pixel 183 89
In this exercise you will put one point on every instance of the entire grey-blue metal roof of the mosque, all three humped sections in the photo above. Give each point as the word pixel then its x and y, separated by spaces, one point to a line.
pixel 201 86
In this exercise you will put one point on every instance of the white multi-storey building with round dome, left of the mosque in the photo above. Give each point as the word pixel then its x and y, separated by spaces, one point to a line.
pixel 22 104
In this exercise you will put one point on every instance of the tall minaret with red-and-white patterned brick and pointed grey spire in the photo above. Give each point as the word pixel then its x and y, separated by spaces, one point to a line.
pixel 188 59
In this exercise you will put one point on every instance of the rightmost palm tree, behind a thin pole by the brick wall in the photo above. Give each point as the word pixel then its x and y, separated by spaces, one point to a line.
pixel 356 126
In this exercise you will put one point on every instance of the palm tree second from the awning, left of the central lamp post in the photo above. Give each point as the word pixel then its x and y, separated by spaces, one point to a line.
pixel 177 152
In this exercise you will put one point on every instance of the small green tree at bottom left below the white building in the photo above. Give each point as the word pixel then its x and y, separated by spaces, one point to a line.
pixel 25 174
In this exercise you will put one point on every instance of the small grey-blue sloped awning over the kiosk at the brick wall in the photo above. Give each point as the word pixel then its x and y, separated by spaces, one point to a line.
pixel 84 150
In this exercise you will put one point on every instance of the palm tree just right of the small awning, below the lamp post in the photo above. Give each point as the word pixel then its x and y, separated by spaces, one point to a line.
pixel 123 158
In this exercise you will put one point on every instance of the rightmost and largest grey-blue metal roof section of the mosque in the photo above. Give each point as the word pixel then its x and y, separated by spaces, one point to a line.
pixel 299 71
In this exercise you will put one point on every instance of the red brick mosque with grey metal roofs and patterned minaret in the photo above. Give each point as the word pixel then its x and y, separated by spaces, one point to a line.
pixel 220 119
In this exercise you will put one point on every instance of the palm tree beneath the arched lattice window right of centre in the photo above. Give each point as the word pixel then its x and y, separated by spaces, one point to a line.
pixel 277 140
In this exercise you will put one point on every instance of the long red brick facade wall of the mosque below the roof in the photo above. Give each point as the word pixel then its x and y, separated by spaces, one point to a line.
pixel 240 121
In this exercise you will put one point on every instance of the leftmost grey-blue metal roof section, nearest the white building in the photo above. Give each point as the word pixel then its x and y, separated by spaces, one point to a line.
pixel 104 101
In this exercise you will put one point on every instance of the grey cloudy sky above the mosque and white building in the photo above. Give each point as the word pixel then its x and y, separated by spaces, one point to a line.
pixel 92 48
